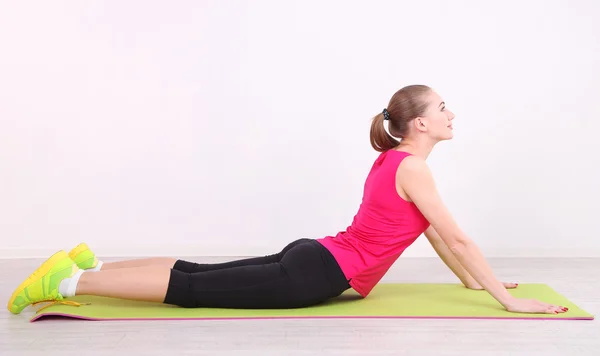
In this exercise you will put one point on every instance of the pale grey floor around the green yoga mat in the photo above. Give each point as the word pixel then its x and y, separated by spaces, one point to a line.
pixel 575 278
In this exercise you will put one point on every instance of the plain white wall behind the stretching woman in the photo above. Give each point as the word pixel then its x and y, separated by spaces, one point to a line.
pixel 233 127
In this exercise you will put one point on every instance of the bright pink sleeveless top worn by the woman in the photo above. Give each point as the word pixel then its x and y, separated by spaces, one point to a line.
pixel 383 228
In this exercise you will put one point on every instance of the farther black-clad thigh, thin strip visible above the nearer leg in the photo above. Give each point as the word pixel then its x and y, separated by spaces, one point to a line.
pixel 192 267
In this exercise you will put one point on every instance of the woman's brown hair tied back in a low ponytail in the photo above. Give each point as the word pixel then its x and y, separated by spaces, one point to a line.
pixel 406 104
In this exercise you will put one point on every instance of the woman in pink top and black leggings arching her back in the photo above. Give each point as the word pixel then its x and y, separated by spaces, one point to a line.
pixel 400 203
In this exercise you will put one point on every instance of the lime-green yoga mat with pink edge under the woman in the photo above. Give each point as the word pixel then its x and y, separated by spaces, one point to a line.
pixel 385 301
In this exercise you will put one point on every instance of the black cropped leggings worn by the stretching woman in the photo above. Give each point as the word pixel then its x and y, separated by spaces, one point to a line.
pixel 304 273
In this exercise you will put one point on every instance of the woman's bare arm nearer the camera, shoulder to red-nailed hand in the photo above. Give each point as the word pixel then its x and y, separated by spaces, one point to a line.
pixel 416 180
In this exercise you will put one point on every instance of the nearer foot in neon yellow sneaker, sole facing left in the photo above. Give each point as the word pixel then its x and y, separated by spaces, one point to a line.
pixel 43 284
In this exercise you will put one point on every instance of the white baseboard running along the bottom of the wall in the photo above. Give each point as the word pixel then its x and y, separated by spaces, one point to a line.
pixel 257 250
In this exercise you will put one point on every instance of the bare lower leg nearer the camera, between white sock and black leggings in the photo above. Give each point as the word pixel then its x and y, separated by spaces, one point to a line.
pixel 147 283
